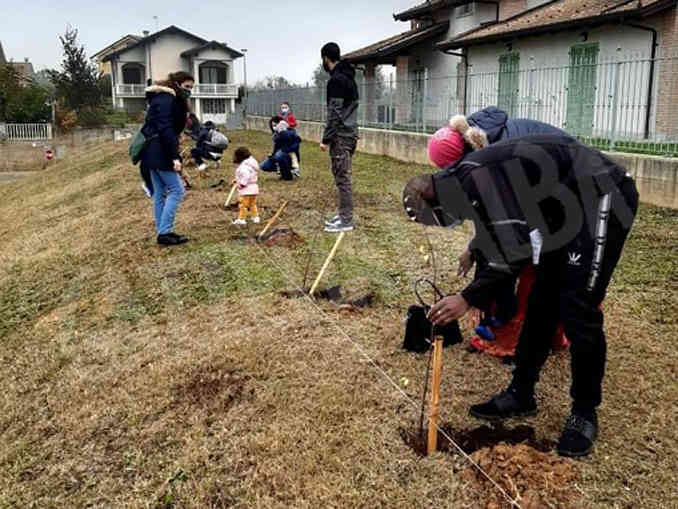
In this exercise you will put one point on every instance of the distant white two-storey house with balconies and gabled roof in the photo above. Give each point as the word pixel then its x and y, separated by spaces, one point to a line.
pixel 152 58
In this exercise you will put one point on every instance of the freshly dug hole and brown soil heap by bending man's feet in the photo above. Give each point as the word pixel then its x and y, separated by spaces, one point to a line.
pixel 527 469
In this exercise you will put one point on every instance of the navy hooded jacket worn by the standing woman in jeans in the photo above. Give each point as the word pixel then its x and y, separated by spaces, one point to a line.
pixel 166 117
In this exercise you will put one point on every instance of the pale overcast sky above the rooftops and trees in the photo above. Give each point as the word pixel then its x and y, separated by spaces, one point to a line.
pixel 283 37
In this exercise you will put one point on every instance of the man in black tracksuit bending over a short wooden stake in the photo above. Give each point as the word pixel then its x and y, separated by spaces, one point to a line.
pixel 583 205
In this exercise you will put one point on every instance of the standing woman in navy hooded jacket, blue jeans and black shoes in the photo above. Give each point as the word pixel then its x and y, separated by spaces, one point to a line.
pixel 166 117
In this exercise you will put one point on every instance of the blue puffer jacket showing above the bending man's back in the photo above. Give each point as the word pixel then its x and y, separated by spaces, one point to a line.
pixel 499 127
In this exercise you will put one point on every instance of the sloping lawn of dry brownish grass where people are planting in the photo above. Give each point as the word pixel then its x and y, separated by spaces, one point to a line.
pixel 135 376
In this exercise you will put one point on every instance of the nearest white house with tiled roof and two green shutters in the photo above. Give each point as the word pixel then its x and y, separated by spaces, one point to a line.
pixel 601 69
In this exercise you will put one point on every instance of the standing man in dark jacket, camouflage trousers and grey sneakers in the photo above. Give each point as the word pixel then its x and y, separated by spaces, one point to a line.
pixel 341 131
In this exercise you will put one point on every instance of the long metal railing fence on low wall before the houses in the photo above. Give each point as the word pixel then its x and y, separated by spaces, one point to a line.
pixel 624 103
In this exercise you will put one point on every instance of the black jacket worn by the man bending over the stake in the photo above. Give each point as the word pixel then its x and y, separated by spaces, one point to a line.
pixel 546 182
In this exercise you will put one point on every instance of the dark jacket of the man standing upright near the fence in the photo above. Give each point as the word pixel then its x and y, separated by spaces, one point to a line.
pixel 342 104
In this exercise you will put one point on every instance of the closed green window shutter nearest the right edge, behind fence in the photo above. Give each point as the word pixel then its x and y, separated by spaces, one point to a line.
pixel 581 91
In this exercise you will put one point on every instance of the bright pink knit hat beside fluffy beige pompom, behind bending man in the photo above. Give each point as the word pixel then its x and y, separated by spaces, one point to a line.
pixel 448 144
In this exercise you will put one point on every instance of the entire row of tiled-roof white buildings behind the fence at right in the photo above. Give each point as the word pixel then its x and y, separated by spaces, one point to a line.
pixel 600 68
